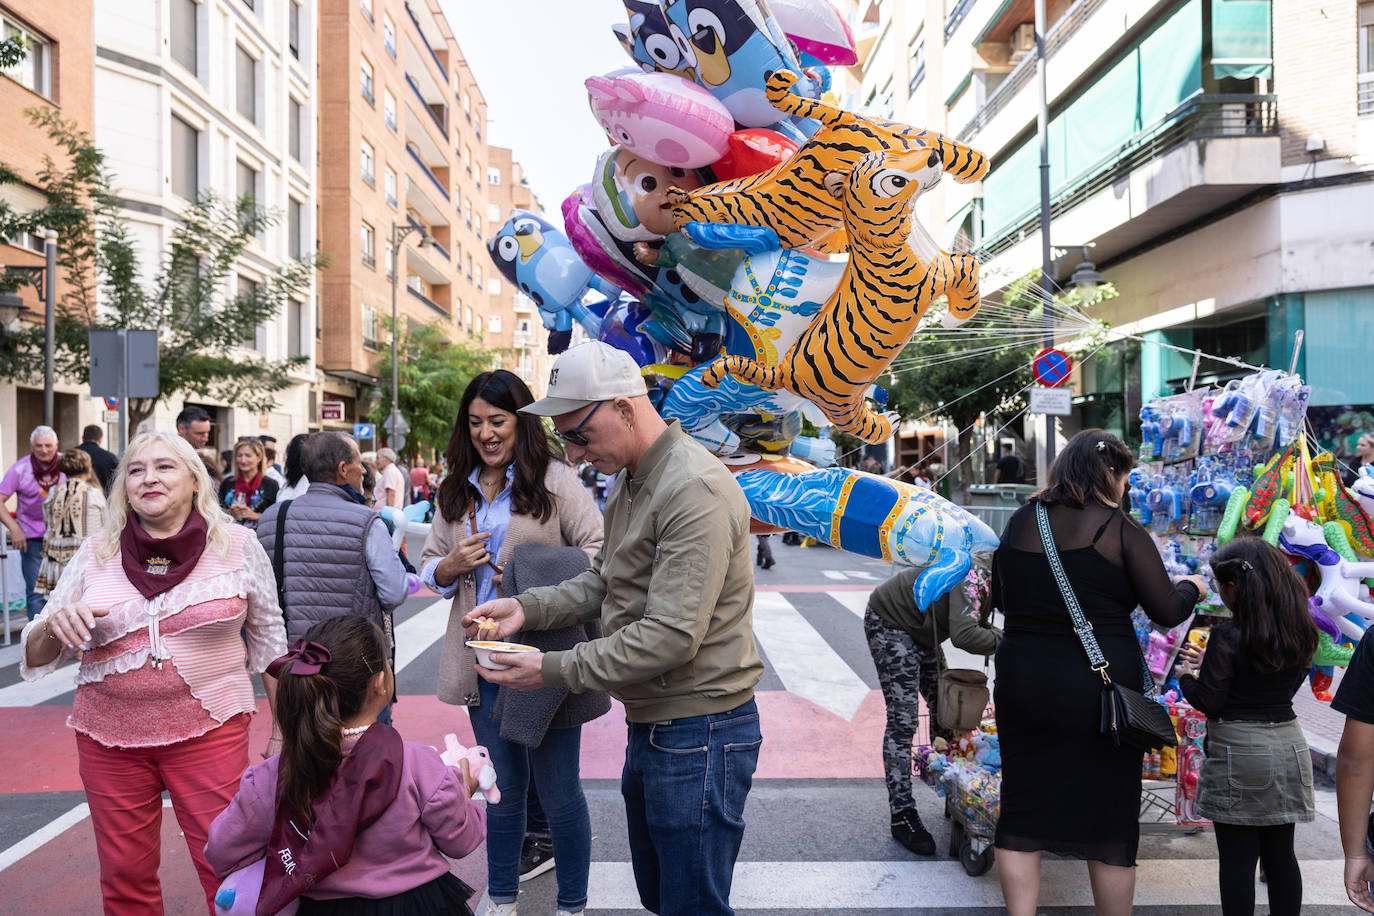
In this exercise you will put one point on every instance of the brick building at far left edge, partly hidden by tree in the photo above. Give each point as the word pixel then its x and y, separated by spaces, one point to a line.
pixel 56 73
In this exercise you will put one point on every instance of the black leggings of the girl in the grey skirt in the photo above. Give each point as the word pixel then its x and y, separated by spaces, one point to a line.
pixel 1239 848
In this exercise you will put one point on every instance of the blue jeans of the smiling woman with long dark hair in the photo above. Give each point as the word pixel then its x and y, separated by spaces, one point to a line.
pixel 556 767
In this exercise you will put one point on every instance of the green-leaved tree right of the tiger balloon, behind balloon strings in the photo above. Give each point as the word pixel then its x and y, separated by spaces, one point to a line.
pixel 930 381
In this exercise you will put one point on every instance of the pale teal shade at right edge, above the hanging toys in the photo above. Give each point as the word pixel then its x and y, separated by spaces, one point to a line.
pixel 1340 339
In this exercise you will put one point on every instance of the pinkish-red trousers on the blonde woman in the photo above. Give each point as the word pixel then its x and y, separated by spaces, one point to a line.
pixel 124 788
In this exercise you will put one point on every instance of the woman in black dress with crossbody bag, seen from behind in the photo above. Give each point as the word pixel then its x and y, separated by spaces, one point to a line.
pixel 1066 790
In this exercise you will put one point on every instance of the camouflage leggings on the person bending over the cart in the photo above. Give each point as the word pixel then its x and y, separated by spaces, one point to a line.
pixel 905 668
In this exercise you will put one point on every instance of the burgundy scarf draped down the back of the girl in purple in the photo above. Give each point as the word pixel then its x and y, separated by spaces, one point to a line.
pixel 365 786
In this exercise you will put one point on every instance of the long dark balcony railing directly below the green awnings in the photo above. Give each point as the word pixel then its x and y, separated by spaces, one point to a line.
pixel 1203 117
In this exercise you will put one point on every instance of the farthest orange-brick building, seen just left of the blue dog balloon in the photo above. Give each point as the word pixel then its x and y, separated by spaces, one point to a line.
pixel 513 325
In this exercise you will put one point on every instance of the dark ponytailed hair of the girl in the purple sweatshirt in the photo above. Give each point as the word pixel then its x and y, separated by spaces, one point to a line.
pixel 322 683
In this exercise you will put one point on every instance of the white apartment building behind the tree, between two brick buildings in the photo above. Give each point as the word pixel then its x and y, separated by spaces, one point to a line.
pixel 216 95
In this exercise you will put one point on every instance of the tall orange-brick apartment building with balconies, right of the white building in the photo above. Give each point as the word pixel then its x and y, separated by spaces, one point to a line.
pixel 405 176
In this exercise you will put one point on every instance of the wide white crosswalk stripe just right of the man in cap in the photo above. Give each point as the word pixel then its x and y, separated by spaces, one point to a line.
pixel 806 663
